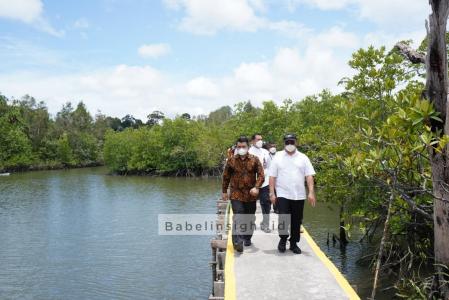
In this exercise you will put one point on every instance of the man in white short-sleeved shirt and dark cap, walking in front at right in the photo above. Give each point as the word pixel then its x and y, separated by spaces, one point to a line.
pixel 289 170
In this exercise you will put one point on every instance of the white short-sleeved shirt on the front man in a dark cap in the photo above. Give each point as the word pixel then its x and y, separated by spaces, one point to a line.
pixel 290 172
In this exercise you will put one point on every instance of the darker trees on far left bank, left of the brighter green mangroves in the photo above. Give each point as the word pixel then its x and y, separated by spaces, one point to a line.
pixel 31 139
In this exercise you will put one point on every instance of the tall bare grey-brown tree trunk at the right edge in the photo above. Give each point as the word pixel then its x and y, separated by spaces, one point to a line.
pixel 436 92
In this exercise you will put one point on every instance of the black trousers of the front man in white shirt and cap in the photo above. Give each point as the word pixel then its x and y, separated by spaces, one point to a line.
pixel 290 215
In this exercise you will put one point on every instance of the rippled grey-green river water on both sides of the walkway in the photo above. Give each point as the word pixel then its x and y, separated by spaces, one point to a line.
pixel 84 234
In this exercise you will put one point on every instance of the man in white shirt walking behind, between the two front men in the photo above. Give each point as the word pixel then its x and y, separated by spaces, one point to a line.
pixel 264 193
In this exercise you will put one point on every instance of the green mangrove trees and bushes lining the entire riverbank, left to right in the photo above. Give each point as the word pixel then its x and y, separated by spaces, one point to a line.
pixel 371 145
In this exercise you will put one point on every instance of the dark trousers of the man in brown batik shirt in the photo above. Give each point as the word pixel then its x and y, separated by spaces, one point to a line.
pixel 243 220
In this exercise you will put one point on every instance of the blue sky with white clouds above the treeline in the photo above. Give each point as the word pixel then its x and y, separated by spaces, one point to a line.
pixel 190 56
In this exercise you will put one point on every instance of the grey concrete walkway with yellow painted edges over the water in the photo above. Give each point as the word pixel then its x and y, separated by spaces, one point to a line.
pixel 261 272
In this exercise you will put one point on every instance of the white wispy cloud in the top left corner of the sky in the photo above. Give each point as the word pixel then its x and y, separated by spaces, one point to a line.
pixel 28 11
